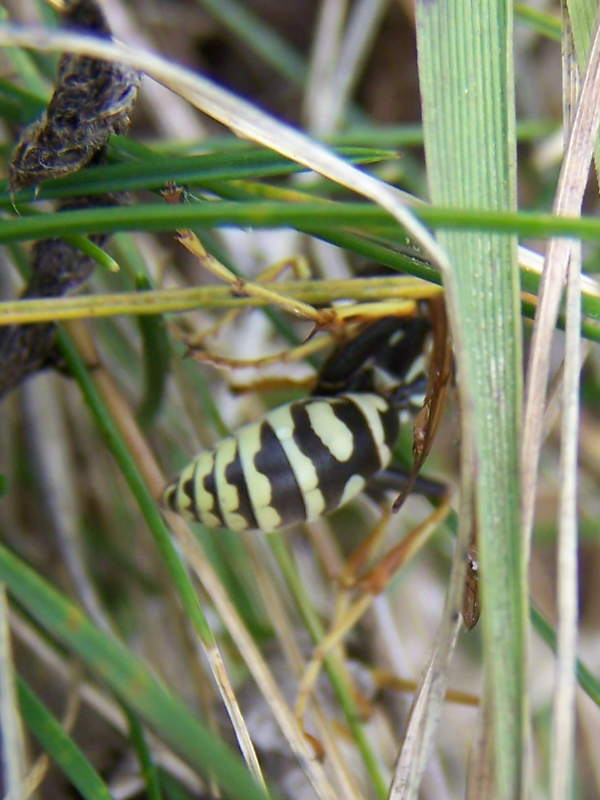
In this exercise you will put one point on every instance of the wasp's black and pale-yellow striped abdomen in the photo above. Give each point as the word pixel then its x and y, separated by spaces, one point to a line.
pixel 302 460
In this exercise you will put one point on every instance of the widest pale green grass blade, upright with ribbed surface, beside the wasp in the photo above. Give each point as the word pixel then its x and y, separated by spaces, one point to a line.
pixel 465 60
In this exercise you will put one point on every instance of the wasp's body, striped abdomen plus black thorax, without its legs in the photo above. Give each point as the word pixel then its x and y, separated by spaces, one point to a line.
pixel 309 457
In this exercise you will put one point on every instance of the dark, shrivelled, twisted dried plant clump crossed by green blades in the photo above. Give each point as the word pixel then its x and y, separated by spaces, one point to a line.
pixel 92 100
